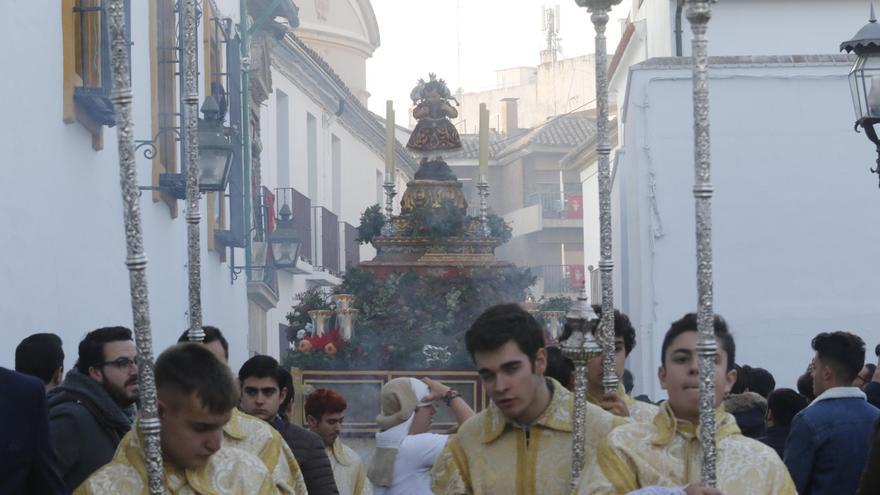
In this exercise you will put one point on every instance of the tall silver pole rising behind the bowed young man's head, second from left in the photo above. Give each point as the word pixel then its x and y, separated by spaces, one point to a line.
pixel 190 68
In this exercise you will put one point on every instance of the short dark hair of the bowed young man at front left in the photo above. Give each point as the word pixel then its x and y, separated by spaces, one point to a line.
pixel 189 369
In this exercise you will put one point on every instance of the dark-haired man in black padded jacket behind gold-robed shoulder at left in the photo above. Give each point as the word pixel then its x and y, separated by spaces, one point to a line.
pixel 264 388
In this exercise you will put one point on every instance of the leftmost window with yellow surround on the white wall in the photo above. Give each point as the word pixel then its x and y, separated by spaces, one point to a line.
pixel 87 81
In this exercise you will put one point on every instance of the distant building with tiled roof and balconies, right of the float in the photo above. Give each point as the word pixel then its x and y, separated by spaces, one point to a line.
pixel 537 195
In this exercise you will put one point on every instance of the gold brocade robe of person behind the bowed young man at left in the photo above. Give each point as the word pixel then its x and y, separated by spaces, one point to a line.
pixel 259 438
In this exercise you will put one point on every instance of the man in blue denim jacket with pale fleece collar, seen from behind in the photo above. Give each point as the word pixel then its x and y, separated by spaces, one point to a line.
pixel 827 447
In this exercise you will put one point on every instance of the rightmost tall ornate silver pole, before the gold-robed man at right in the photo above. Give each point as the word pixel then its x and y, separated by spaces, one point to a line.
pixel 699 14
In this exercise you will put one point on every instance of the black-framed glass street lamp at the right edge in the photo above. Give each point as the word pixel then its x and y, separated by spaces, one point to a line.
pixel 864 80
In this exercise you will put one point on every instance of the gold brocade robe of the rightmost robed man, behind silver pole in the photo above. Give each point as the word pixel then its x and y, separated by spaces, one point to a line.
pixel 667 453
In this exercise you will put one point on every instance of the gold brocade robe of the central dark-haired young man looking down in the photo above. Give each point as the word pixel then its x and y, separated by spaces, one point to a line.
pixel 492 455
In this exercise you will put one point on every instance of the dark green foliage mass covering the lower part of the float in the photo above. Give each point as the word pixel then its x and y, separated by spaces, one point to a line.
pixel 402 313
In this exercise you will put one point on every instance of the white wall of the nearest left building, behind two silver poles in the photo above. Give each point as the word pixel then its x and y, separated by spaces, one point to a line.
pixel 63 252
